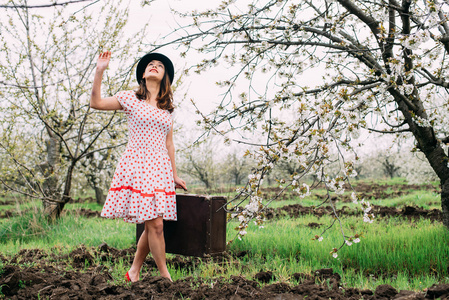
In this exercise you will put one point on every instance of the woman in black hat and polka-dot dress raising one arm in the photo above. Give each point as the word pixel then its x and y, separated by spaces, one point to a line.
pixel 143 186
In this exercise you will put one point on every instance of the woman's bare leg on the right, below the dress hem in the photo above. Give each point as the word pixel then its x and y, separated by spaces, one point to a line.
pixel 156 242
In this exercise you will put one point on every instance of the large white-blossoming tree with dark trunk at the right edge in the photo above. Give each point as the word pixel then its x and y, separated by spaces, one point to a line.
pixel 382 66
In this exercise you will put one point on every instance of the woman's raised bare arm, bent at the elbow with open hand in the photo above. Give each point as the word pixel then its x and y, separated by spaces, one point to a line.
pixel 108 103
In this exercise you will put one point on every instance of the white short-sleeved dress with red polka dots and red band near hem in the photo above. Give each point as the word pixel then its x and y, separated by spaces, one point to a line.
pixel 143 187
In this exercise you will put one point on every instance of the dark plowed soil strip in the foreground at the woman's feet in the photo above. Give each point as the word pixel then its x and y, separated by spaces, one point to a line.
pixel 67 277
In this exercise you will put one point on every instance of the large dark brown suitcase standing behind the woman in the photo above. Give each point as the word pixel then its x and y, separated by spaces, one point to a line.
pixel 200 228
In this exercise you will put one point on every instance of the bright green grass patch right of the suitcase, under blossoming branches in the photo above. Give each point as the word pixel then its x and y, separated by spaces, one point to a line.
pixel 390 247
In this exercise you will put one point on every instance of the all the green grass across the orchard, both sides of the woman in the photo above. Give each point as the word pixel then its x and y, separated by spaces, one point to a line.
pixel 407 254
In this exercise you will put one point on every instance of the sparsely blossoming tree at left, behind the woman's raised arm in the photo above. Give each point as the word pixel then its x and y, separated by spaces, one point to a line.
pixel 47 127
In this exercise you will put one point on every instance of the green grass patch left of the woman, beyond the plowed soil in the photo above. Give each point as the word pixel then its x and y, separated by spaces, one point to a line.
pixel 32 230
